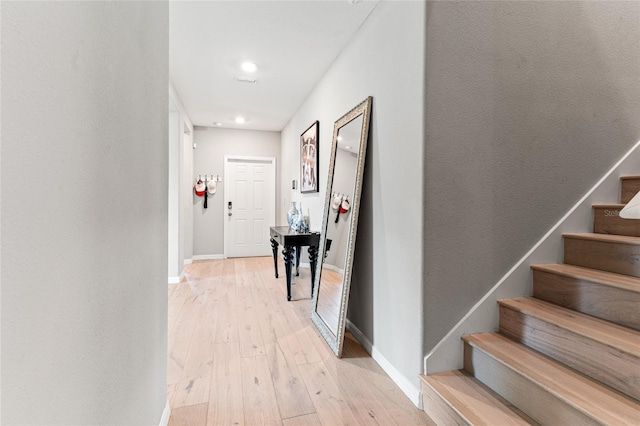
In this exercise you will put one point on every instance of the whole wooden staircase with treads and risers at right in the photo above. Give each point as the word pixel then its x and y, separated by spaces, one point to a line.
pixel 569 355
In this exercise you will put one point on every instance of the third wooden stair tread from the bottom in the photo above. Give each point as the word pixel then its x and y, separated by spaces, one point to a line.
pixel 605 332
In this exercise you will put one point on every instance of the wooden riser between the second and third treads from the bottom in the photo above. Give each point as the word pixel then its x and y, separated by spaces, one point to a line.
pixel 617 369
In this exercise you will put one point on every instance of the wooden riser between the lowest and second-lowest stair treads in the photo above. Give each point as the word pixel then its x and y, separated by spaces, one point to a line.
pixel 528 396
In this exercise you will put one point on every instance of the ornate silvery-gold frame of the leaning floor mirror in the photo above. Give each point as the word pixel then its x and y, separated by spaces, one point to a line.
pixel 336 341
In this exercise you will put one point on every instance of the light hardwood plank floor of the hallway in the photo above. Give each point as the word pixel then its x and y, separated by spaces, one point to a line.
pixel 240 354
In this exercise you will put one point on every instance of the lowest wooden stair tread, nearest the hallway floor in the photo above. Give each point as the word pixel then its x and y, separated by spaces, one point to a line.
pixel 474 401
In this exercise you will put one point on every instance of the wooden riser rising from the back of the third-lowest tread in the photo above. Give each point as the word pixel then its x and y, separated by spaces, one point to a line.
pixel 609 303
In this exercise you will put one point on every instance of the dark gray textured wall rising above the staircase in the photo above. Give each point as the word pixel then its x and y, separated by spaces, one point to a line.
pixel 528 104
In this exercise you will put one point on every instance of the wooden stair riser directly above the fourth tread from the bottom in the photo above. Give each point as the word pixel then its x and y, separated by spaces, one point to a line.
pixel 607 256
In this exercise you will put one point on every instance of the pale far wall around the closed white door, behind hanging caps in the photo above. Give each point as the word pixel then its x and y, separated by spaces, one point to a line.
pixel 208 158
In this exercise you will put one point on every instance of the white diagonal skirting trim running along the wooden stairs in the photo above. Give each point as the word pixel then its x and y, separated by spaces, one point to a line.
pixel 447 354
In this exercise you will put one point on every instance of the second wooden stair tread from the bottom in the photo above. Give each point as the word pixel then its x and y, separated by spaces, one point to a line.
pixel 577 390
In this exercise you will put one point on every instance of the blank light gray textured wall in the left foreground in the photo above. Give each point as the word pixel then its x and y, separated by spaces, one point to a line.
pixel 84 250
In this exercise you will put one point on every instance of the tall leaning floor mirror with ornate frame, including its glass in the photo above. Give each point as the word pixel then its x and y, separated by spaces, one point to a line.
pixel 338 236
